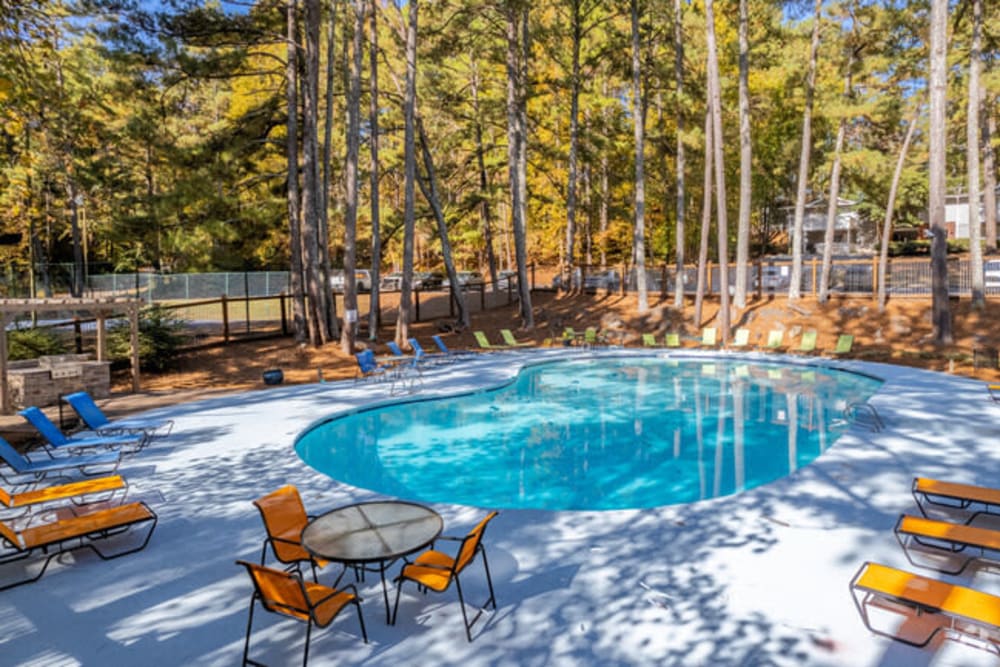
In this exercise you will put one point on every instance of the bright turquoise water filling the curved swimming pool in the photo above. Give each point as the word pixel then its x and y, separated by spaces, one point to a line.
pixel 600 434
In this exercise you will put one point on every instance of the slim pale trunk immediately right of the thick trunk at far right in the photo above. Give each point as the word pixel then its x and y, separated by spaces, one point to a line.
pixel 972 137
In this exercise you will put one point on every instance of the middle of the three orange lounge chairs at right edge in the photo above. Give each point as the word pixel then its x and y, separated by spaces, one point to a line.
pixel 950 538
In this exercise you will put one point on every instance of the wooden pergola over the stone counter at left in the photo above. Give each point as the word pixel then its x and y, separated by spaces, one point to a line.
pixel 101 309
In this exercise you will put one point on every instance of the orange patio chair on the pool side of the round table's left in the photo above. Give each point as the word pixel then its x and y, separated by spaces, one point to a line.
pixel 284 518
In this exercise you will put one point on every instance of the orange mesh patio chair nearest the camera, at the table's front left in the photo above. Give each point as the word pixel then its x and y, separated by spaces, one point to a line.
pixel 285 593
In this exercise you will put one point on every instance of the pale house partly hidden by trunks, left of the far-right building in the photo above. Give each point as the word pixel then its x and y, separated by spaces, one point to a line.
pixel 852 233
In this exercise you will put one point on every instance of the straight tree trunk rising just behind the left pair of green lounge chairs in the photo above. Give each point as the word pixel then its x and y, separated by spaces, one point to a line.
pixel 517 50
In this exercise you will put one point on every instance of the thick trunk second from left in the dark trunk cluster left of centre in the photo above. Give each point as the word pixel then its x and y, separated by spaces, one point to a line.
pixel 317 317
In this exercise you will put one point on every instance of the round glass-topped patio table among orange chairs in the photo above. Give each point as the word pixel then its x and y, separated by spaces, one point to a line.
pixel 373 533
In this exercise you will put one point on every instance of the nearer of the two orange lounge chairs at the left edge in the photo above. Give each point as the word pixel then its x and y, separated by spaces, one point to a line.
pixel 76 532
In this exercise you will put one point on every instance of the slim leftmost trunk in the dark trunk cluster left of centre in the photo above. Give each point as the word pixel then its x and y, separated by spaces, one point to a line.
pixel 292 152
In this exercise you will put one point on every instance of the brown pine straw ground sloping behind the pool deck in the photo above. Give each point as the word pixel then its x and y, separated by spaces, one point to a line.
pixel 900 335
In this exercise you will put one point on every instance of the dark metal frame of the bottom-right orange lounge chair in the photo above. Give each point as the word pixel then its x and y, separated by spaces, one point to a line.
pixel 924 602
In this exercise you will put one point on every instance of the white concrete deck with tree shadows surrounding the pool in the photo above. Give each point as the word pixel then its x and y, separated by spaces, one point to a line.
pixel 758 578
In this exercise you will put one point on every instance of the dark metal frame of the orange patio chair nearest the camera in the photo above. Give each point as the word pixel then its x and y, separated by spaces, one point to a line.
pixel 304 611
